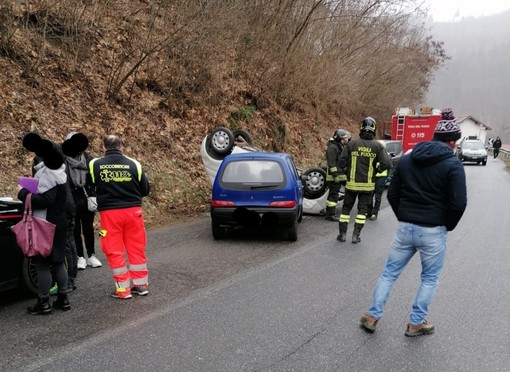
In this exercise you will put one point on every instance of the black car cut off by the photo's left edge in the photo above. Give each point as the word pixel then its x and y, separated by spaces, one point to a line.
pixel 16 271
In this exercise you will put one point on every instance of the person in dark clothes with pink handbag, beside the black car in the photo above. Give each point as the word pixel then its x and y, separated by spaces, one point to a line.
pixel 47 204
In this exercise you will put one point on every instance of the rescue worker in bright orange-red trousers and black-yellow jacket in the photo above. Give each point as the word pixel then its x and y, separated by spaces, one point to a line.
pixel 120 186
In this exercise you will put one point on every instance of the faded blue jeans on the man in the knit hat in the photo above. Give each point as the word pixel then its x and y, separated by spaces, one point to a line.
pixel 430 242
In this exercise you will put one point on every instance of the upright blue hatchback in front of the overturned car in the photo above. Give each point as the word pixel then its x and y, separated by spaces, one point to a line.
pixel 257 190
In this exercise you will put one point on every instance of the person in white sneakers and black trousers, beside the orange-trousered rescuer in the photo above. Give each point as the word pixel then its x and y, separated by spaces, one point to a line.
pixel 77 160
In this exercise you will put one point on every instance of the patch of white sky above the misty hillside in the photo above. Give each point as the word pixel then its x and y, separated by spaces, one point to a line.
pixel 446 10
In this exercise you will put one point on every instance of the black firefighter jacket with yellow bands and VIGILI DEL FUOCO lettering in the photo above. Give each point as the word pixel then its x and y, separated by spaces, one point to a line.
pixel 359 158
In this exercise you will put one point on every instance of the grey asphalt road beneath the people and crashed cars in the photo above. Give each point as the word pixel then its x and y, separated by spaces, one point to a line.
pixel 253 303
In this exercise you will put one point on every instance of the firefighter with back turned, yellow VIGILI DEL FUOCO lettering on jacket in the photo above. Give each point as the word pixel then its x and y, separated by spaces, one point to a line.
pixel 359 159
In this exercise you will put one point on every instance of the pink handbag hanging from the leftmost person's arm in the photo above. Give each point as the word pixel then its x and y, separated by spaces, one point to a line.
pixel 34 235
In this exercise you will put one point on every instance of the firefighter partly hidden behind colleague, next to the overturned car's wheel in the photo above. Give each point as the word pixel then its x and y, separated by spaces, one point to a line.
pixel 335 177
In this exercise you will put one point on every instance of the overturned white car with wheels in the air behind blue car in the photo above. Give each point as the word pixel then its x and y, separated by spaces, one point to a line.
pixel 222 142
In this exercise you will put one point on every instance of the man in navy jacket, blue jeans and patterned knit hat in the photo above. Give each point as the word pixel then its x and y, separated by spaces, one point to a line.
pixel 428 196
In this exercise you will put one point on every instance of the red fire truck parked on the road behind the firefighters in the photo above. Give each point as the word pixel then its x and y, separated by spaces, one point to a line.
pixel 411 127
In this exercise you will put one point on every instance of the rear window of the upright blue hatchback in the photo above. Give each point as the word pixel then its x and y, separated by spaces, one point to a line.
pixel 244 174
